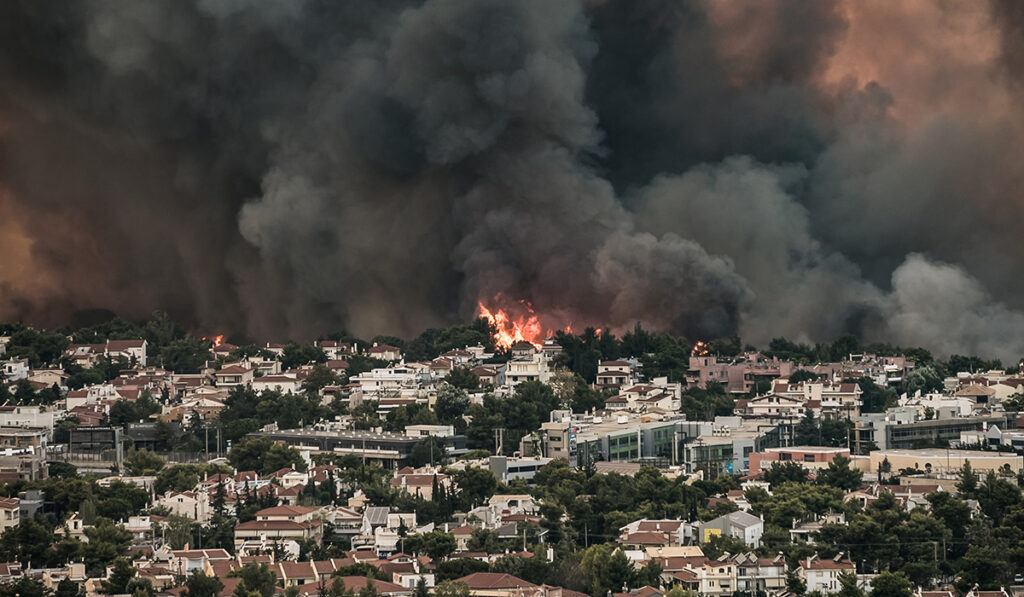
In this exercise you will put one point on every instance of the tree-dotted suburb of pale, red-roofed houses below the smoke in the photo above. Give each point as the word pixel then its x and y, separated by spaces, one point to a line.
pixel 140 460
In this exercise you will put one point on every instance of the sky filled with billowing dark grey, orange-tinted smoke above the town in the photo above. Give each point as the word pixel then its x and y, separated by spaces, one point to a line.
pixel 708 167
